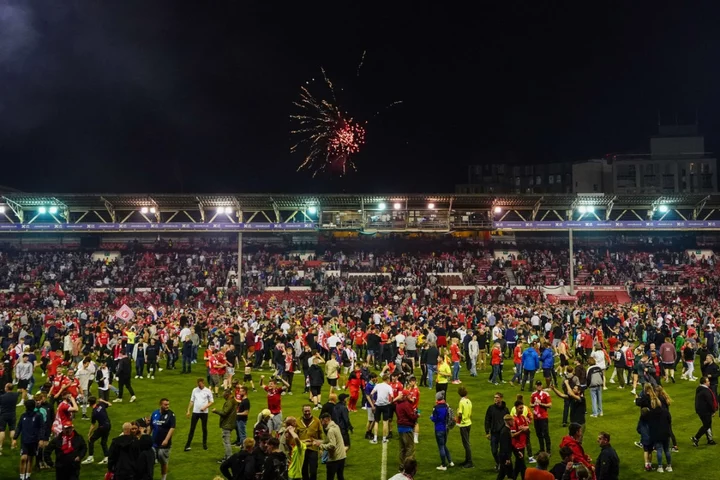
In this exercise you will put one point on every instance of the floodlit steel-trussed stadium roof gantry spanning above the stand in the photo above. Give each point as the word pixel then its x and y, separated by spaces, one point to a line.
pixel 36 212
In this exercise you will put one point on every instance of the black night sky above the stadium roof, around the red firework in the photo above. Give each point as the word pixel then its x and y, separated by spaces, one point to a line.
pixel 180 96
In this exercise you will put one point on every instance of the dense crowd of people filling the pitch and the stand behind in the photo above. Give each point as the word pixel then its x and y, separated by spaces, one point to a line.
pixel 373 343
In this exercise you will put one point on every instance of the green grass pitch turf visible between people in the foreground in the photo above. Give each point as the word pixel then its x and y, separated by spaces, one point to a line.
pixel 364 459
